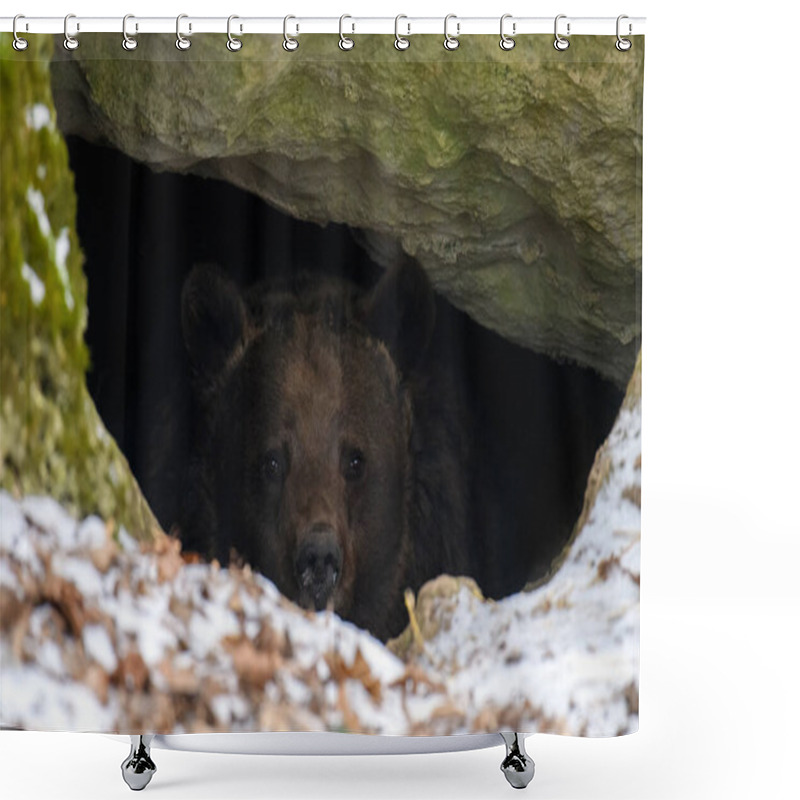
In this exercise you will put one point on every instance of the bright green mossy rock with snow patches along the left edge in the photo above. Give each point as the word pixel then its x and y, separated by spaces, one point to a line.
pixel 52 440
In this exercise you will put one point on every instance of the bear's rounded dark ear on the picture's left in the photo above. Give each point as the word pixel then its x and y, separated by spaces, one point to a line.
pixel 213 319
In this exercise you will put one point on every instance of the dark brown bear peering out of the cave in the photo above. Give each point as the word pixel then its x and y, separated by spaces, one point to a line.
pixel 329 449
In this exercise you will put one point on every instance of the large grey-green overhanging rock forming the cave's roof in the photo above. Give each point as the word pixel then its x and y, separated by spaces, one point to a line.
pixel 514 177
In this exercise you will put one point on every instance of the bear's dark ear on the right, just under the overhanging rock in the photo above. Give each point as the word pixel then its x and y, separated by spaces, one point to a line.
pixel 401 311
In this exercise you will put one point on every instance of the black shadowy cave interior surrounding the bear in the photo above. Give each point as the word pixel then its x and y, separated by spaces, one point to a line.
pixel 537 423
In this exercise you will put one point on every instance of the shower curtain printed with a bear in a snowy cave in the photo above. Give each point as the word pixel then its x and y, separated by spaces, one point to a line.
pixel 321 385
